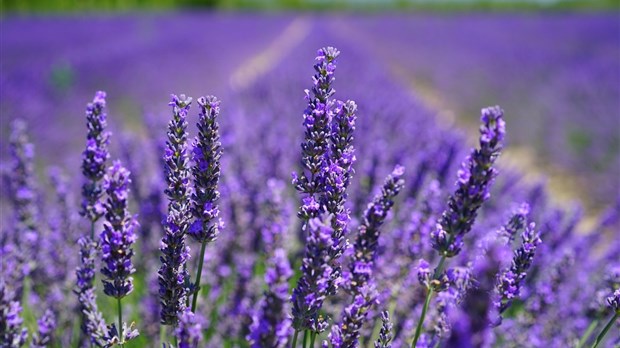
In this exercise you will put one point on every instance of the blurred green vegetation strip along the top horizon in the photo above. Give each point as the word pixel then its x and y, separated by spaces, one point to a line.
pixel 61 6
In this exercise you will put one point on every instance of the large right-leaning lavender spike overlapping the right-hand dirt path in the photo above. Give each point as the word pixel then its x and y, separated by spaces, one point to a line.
pixel 473 186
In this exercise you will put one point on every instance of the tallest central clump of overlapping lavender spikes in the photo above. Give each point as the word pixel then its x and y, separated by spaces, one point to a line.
pixel 327 159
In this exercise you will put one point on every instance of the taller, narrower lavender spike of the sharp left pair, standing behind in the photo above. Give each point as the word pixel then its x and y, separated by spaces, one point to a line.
pixel 94 158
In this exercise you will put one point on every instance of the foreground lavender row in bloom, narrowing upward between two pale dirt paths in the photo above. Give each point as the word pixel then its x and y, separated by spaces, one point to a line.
pixel 425 265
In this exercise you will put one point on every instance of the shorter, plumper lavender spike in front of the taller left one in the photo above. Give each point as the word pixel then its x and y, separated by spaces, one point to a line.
pixel 118 234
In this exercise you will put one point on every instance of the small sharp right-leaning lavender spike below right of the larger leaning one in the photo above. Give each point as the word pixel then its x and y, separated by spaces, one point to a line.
pixel 510 280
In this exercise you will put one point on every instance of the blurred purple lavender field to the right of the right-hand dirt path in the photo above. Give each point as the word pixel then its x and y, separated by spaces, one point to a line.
pixel 555 74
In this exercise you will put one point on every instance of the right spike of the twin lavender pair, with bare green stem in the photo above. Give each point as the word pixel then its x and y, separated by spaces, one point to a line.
pixel 207 151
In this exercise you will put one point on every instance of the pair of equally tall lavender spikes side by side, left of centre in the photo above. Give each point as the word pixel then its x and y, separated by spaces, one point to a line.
pixel 193 210
